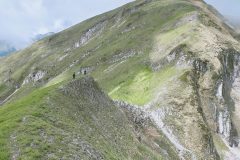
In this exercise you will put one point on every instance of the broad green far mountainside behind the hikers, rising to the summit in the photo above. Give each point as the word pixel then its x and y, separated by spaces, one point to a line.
pixel 127 29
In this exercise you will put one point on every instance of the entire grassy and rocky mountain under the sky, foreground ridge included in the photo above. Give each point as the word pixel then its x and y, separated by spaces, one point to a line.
pixel 174 62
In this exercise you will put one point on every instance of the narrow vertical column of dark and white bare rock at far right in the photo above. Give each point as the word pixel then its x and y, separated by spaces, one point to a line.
pixel 230 63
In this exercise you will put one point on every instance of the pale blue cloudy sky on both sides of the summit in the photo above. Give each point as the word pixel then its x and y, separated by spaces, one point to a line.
pixel 22 20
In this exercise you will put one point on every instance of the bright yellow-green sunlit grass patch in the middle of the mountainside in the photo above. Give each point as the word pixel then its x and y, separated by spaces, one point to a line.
pixel 144 86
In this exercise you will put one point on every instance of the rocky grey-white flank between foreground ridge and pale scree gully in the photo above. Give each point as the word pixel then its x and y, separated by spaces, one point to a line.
pixel 145 124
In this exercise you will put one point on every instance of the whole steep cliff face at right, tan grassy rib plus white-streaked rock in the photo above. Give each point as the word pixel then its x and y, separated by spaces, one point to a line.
pixel 217 100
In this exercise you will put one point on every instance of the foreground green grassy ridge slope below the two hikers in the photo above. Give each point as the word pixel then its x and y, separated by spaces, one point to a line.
pixel 74 120
